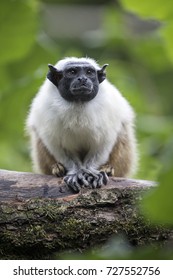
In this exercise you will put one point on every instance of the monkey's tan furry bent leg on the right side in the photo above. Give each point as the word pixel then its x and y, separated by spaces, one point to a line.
pixel 123 157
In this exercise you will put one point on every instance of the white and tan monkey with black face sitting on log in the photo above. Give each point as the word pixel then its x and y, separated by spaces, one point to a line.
pixel 80 126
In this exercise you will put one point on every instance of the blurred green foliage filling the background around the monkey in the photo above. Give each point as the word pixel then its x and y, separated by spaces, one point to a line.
pixel 141 66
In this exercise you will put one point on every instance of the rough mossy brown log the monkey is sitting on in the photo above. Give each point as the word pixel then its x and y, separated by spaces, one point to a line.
pixel 39 215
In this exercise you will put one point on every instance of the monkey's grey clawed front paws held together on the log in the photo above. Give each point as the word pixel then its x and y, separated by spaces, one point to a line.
pixel 85 178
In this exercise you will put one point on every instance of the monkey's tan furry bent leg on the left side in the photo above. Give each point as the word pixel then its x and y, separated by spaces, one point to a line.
pixel 44 161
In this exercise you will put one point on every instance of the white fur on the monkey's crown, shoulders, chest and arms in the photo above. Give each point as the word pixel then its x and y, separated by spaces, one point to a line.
pixel 66 127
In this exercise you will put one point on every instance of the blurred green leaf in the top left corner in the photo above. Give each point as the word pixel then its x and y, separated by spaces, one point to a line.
pixel 17 28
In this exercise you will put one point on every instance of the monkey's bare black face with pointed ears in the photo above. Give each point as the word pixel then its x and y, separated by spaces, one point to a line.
pixel 78 82
